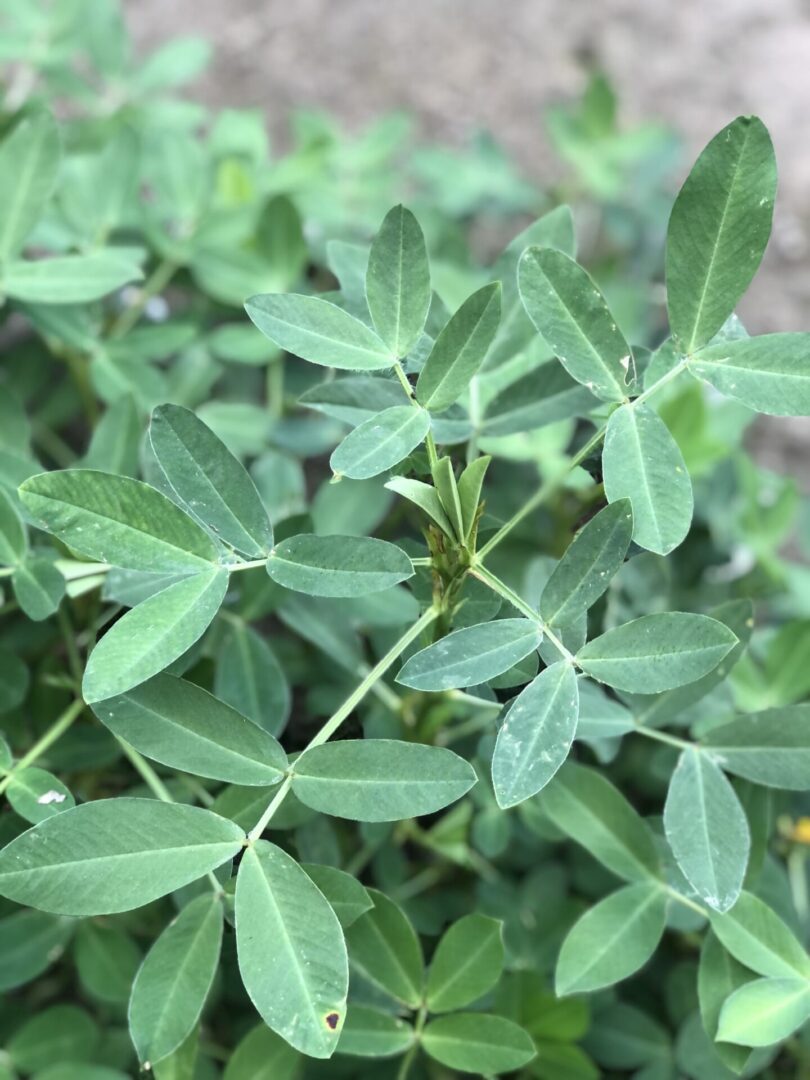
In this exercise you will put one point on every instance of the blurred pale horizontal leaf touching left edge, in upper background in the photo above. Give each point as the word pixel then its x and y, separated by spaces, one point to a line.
pixel 69 279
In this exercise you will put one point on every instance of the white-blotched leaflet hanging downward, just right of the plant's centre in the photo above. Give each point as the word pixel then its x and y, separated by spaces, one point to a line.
pixel 536 736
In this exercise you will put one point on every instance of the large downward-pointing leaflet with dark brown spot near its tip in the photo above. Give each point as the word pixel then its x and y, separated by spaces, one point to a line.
pixel 291 948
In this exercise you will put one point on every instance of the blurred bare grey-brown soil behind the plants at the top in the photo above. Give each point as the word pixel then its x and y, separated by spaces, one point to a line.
pixel 463 65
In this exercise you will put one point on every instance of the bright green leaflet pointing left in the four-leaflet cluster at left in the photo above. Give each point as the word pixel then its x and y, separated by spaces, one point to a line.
pixel 119 521
